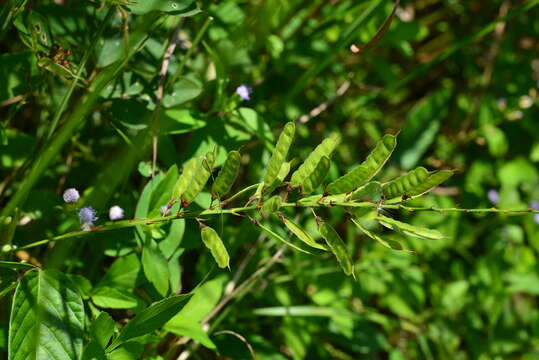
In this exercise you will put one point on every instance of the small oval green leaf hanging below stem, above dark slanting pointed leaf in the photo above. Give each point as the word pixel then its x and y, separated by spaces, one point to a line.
pixel 155 266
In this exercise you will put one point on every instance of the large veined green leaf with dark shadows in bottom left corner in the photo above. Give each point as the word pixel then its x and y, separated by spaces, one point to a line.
pixel 47 318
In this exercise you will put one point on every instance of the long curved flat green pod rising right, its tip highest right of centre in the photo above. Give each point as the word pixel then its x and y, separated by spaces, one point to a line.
pixel 367 170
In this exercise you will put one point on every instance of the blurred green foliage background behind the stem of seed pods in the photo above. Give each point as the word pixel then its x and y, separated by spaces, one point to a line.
pixel 458 80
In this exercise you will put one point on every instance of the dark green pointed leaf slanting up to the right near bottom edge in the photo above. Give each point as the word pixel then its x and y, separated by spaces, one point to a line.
pixel 151 318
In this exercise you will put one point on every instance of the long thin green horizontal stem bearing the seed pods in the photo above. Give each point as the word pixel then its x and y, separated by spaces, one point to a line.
pixel 241 210
